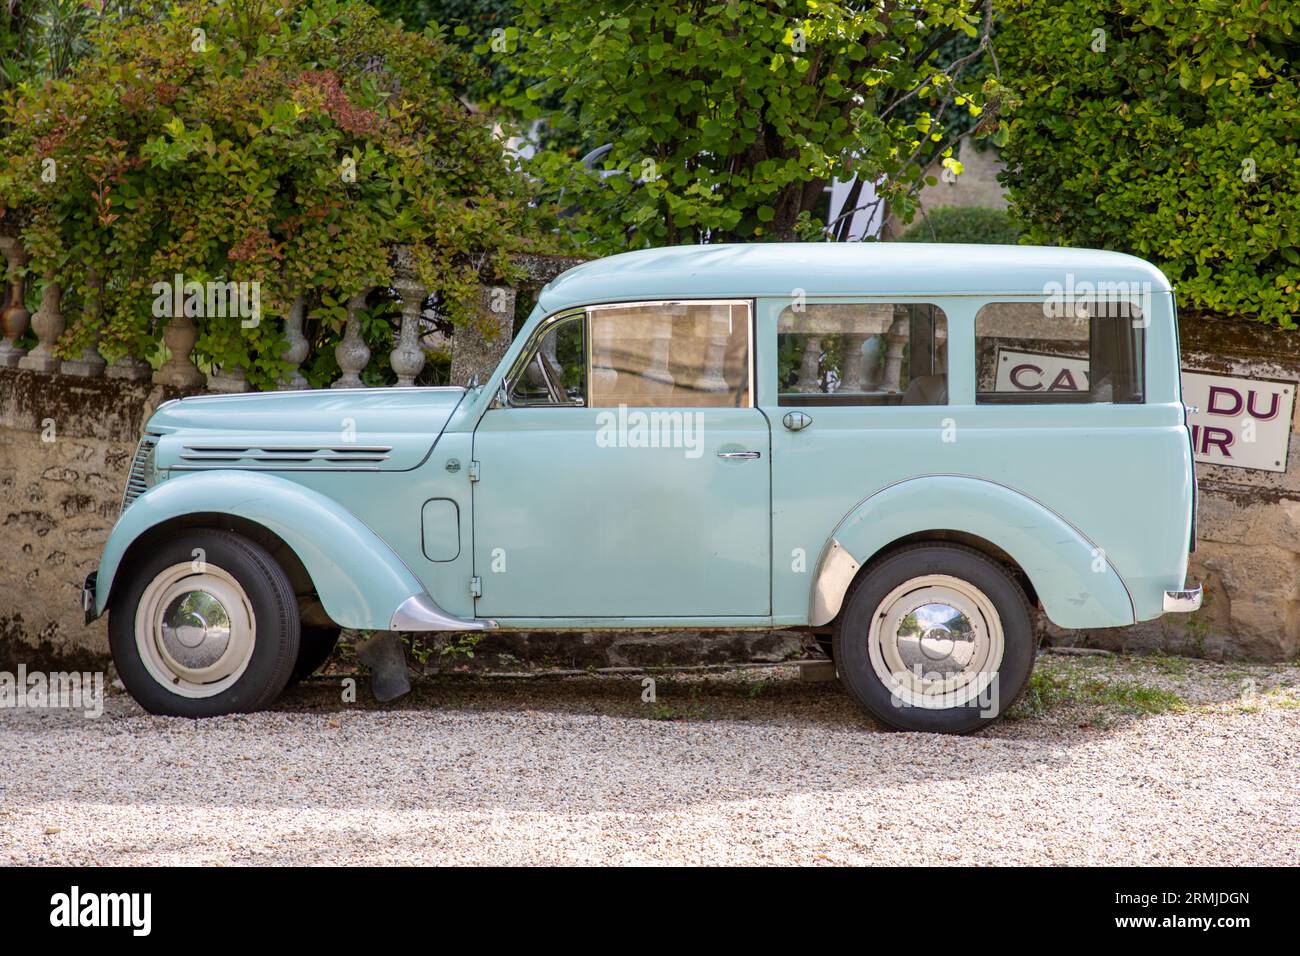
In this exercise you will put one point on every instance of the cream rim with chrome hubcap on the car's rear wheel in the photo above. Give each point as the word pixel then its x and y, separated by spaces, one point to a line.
pixel 937 642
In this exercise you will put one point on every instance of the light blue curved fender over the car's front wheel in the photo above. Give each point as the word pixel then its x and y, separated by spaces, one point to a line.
pixel 361 581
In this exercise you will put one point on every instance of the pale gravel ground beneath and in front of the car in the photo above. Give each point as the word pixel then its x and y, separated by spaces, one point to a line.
pixel 1111 762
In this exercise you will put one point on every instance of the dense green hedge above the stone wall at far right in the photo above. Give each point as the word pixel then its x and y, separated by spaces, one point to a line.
pixel 1168 129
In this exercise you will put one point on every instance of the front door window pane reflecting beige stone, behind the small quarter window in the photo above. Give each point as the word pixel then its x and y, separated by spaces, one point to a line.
pixel 671 354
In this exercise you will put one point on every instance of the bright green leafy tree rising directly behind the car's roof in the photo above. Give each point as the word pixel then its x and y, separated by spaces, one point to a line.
pixel 727 120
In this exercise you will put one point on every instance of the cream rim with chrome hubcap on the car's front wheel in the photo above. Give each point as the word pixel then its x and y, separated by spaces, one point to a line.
pixel 196 630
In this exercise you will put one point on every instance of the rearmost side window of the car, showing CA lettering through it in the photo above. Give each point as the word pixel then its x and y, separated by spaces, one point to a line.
pixel 1030 353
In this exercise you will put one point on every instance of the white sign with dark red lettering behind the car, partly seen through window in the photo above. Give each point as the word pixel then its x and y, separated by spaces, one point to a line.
pixel 1241 423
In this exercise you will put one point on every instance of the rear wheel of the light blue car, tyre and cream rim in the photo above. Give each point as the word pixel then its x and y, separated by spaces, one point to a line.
pixel 935 638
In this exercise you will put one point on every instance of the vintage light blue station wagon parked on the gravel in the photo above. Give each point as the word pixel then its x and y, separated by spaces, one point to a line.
pixel 903 448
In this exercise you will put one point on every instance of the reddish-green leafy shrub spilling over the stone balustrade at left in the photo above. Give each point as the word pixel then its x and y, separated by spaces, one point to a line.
pixel 219 141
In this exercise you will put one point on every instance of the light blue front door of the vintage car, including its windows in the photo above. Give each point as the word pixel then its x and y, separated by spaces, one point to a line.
pixel 626 470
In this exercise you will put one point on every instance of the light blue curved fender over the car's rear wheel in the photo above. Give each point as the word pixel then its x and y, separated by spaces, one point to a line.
pixel 1074 582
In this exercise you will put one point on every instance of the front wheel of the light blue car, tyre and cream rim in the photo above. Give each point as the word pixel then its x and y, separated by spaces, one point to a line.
pixel 206 625
